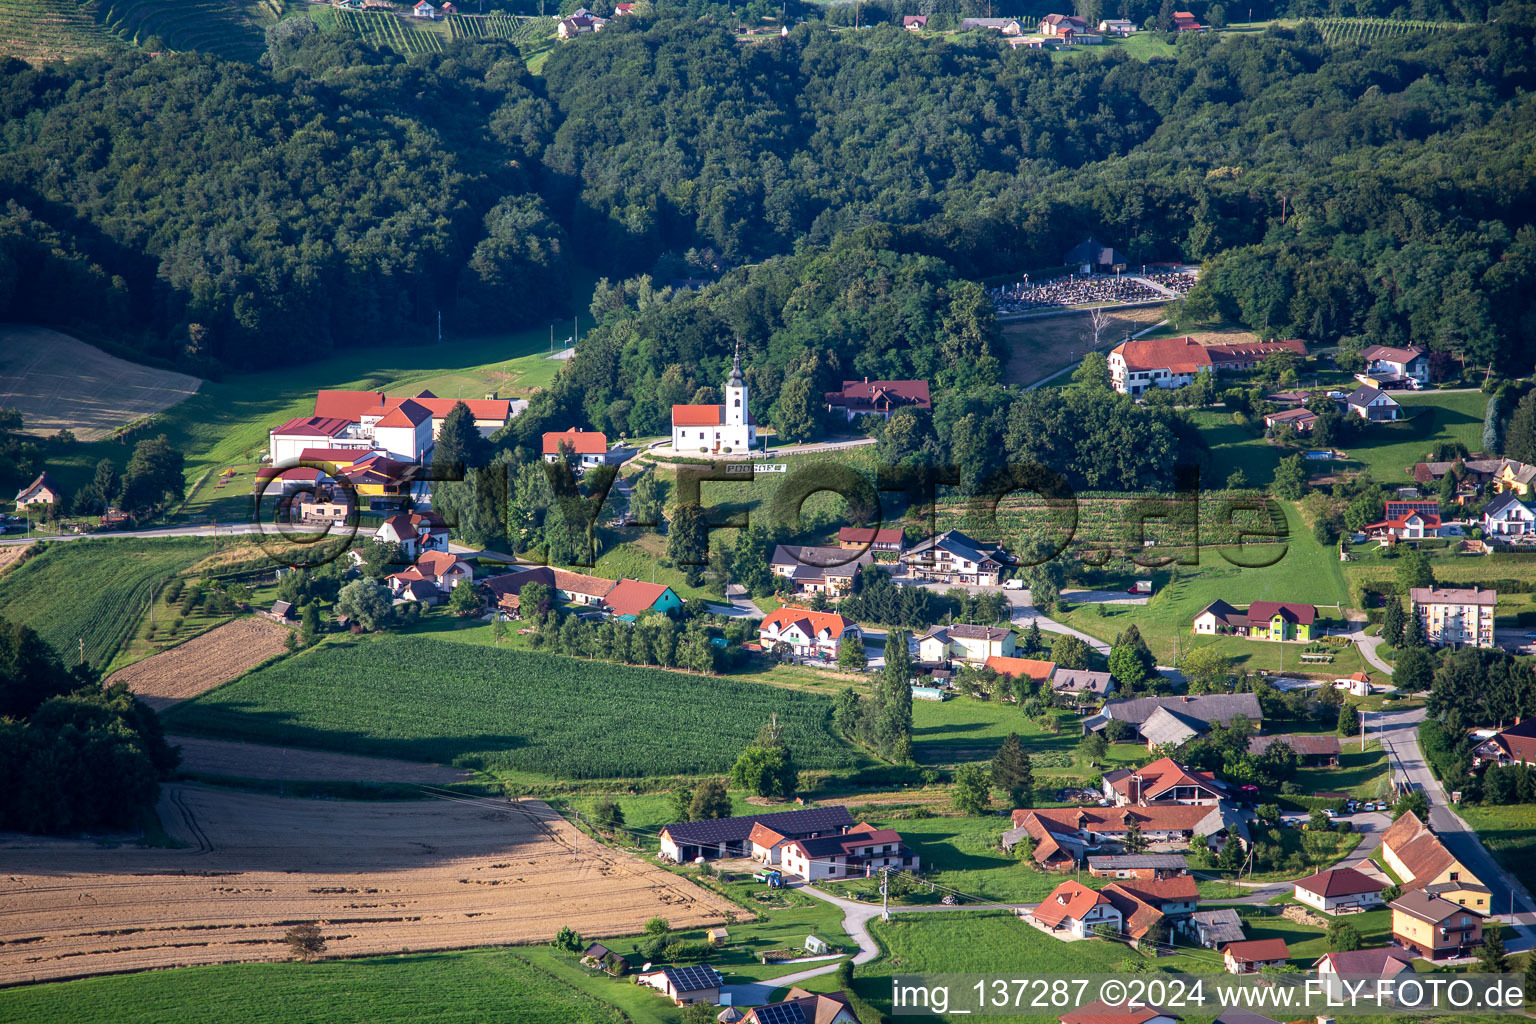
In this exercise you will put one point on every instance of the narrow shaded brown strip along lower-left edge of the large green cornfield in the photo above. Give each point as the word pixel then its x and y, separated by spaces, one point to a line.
pixel 254 761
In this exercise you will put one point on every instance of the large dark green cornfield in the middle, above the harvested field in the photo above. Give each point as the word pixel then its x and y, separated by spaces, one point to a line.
pixel 455 704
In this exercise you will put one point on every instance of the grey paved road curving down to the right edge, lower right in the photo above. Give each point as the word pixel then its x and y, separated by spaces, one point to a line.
pixel 1402 739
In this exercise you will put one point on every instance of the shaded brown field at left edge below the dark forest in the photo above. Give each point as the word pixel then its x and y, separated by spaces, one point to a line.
pixel 62 383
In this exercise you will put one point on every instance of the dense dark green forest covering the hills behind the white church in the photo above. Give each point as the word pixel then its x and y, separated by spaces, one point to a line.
pixel 216 214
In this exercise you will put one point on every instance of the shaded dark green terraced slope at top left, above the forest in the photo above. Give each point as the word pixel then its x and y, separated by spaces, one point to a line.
pixel 230 28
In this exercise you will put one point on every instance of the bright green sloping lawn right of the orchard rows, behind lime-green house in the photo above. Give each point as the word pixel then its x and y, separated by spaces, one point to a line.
pixel 1303 570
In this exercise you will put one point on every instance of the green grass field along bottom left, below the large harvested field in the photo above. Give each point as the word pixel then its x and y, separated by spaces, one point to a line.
pixel 462 988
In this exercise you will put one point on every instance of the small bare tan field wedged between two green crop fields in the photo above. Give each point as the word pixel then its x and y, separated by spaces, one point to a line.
pixel 204 662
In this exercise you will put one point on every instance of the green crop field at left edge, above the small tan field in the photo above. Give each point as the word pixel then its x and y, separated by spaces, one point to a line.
pixel 91 590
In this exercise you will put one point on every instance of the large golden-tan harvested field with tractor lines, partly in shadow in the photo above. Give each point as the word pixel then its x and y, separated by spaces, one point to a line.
pixel 380 877
